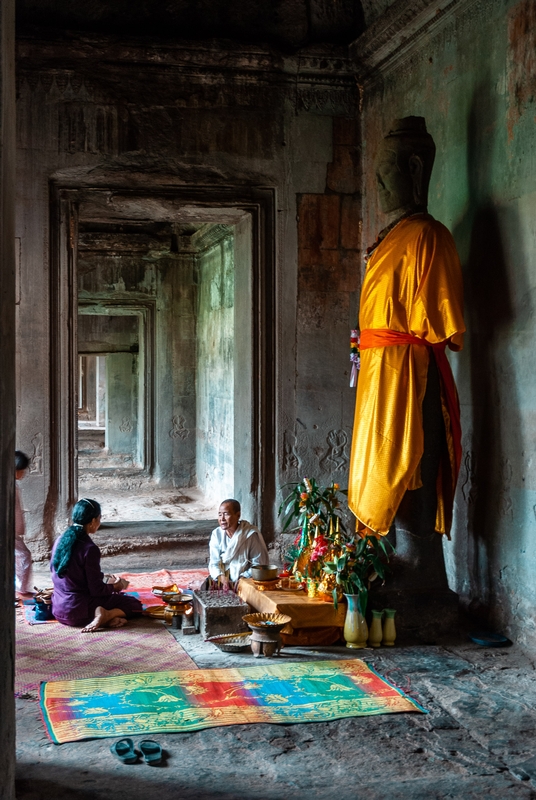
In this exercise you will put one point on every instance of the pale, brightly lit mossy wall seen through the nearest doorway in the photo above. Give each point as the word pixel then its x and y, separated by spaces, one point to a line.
pixel 215 362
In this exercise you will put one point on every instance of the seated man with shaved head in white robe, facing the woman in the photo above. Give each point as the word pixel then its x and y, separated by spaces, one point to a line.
pixel 235 545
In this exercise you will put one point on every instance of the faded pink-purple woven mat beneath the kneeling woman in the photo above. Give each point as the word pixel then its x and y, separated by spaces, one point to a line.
pixel 56 652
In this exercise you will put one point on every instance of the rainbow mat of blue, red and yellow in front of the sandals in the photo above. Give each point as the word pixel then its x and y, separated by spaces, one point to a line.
pixel 190 700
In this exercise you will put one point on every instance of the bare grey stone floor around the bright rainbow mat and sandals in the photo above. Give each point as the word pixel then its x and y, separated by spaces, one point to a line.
pixel 477 740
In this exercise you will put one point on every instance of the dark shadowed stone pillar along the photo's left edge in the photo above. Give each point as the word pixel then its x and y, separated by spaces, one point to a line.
pixel 7 395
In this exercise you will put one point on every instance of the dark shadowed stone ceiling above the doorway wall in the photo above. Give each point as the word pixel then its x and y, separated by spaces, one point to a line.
pixel 288 24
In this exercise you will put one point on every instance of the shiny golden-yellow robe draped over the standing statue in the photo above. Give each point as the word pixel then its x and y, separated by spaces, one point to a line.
pixel 413 285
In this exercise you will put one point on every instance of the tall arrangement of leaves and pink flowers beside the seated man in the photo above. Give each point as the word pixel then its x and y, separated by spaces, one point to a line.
pixel 315 510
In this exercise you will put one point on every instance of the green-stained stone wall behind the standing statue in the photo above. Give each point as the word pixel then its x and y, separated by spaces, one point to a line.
pixel 475 82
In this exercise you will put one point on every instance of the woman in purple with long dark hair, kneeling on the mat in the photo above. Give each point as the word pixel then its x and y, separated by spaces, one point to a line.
pixel 81 598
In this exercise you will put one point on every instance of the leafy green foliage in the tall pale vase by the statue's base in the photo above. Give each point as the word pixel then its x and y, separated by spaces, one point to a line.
pixel 361 561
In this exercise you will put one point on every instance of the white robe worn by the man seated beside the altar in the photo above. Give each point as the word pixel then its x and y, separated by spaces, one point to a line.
pixel 244 548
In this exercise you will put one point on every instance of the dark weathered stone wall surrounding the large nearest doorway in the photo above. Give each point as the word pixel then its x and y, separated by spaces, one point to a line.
pixel 102 114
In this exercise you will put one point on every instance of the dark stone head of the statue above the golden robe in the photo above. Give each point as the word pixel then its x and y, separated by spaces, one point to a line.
pixel 404 165
